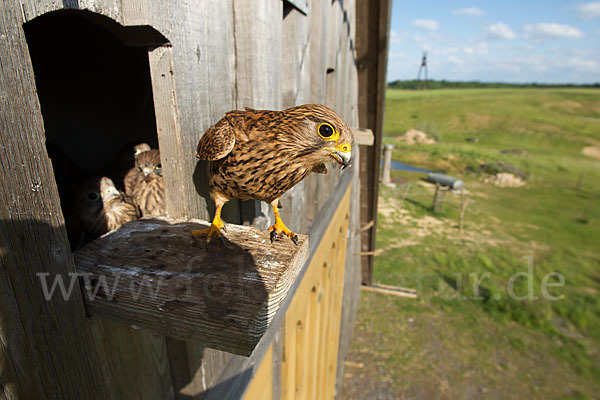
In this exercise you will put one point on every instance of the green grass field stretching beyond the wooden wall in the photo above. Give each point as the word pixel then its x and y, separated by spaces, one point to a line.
pixel 472 333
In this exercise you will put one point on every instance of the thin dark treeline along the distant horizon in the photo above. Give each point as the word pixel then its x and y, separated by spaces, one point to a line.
pixel 443 84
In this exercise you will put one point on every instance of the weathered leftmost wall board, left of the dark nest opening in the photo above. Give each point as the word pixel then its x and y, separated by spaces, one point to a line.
pixel 46 349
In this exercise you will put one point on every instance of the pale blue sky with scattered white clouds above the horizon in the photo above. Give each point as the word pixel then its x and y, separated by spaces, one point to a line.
pixel 497 41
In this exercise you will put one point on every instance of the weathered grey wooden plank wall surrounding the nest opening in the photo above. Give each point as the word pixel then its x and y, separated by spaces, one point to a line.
pixel 221 55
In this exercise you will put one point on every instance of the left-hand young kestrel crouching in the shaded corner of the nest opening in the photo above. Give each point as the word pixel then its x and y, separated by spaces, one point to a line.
pixel 98 208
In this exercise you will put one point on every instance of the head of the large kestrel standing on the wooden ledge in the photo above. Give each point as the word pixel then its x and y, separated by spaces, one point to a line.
pixel 326 134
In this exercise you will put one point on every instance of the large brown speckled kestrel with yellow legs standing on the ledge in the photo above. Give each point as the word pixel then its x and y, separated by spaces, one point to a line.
pixel 261 154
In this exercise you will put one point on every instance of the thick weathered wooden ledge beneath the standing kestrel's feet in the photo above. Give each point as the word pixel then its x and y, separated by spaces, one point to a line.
pixel 152 274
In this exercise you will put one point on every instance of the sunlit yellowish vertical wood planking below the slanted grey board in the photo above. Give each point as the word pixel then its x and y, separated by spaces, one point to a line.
pixel 312 327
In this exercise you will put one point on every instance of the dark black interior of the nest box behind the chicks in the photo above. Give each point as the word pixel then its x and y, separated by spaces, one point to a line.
pixel 94 86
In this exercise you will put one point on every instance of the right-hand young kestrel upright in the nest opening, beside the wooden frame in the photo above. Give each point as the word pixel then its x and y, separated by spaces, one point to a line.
pixel 148 190
